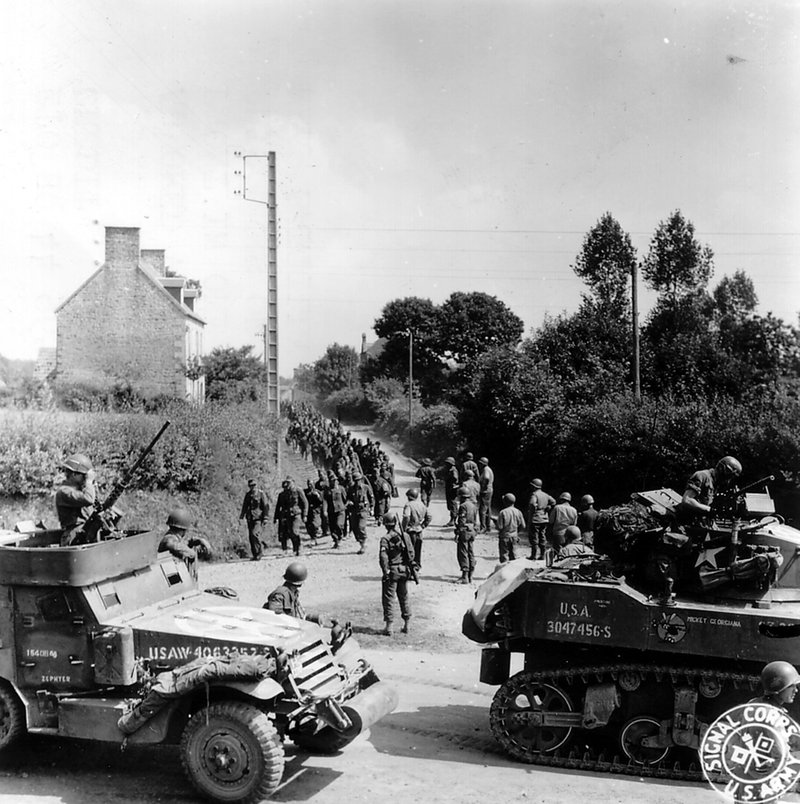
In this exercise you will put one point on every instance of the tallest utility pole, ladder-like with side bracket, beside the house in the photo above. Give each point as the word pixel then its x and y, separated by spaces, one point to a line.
pixel 271 327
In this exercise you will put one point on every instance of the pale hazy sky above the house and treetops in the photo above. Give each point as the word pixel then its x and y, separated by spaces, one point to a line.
pixel 422 147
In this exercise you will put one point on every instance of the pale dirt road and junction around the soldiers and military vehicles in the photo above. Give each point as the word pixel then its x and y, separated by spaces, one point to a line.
pixel 436 747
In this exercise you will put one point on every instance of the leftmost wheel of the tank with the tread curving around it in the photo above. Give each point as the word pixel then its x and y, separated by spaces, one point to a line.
pixel 516 715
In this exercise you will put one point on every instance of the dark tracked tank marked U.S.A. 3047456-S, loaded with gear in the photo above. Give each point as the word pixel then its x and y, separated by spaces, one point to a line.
pixel 629 653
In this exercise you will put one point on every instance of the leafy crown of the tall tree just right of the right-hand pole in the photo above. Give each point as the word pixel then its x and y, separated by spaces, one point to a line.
pixel 676 264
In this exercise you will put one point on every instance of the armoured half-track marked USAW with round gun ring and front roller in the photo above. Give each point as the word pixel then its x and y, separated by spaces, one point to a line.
pixel 114 641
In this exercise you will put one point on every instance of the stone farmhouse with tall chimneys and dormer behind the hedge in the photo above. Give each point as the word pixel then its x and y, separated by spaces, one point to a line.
pixel 134 322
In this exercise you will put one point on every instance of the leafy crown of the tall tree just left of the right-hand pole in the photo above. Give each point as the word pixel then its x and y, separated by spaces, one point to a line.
pixel 606 262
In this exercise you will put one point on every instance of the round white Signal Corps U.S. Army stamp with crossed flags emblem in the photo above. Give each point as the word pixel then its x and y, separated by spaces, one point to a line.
pixel 746 756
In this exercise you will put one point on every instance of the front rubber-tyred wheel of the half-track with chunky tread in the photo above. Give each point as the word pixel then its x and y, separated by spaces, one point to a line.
pixel 231 752
